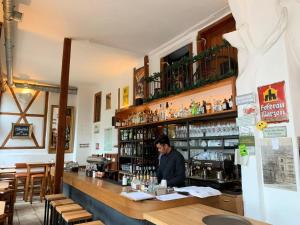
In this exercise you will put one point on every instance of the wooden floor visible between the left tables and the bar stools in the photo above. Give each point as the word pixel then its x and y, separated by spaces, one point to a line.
pixel 27 214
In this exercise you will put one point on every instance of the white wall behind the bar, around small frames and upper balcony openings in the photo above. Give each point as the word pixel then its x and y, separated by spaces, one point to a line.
pixel 112 83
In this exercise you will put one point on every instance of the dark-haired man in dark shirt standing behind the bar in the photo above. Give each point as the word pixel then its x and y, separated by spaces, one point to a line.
pixel 171 164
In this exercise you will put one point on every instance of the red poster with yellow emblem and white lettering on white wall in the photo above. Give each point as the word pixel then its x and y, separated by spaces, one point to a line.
pixel 272 102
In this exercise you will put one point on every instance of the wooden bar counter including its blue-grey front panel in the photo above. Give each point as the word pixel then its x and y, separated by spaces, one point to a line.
pixel 89 191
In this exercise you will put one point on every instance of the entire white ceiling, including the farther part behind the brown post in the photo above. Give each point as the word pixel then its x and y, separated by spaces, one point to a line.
pixel 120 33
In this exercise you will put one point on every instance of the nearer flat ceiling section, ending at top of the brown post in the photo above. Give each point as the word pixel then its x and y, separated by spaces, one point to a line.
pixel 134 25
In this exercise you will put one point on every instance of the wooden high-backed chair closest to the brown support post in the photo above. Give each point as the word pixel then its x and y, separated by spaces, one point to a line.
pixel 36 180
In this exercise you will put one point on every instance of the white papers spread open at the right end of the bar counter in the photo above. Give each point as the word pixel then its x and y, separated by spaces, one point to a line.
pixel 200 192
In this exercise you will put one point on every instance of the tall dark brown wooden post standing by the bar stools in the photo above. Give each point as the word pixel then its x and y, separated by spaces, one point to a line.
pixel 63 100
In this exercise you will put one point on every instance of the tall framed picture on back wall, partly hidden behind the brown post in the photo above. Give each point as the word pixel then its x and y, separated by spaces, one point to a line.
pixel 54 129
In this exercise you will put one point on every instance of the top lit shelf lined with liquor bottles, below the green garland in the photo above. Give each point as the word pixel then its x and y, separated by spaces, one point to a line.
pixel 207 102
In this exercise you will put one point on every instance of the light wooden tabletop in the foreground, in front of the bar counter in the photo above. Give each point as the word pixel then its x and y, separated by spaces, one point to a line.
pixel 187 215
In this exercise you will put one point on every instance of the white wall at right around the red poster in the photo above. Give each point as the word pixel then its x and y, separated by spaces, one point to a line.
pixel 265 58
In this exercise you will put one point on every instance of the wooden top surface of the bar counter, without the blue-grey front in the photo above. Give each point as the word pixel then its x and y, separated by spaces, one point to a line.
pixel 109 194
